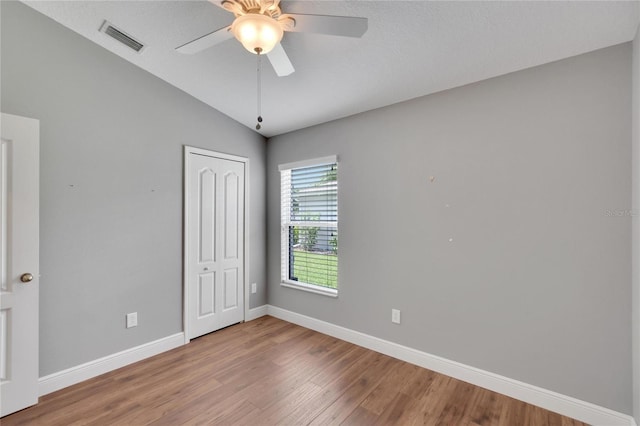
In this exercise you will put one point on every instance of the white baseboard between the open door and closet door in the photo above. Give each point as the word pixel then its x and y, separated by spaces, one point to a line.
pixel 88 370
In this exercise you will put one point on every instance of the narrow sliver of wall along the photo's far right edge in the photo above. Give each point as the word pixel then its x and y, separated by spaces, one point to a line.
pixel 636 227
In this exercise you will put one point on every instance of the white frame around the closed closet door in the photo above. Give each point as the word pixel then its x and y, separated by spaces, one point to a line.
pixel 188 150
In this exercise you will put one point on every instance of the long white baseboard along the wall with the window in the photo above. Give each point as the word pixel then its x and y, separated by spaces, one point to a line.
pixel 549 400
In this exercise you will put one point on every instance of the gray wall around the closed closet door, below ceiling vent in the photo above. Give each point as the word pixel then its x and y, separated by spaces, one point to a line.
pixel 111 187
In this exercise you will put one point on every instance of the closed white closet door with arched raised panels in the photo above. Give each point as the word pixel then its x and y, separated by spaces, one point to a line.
pixel 214 266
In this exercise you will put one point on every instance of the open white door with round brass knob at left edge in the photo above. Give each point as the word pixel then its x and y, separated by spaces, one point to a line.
pixel 19 171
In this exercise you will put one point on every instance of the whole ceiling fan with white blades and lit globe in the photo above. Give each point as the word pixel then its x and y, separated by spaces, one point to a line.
pixel 260 24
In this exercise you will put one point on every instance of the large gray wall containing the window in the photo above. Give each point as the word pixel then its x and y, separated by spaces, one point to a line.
pixel 532 182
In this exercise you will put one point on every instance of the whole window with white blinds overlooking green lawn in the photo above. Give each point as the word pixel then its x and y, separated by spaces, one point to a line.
pixel 309 225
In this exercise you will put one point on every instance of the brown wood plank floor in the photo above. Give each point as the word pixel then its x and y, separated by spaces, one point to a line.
pixel 268 372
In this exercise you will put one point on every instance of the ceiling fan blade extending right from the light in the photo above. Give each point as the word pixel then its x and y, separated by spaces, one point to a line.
pixel 345 26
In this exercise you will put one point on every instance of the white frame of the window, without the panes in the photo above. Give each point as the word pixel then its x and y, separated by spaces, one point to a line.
pixel 286 223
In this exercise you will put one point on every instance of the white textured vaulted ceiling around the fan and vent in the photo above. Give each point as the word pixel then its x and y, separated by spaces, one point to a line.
pixel 412 48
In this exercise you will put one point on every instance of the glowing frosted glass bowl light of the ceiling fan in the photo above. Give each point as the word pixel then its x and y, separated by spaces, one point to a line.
pixel 258 33
